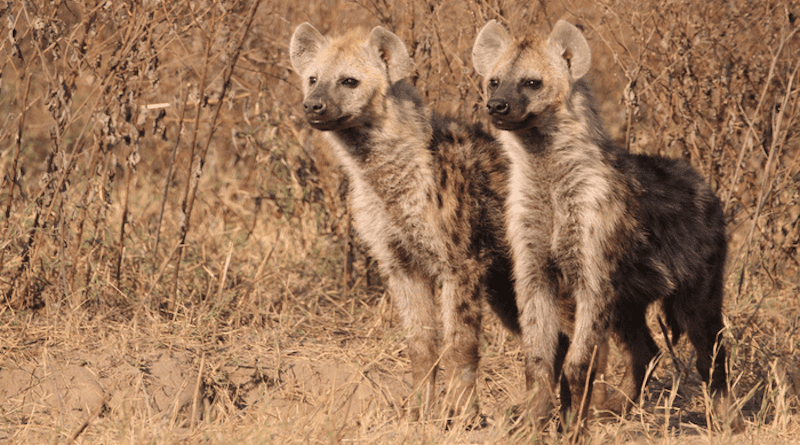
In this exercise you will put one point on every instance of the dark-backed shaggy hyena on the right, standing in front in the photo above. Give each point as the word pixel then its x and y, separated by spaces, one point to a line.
pixel 596 228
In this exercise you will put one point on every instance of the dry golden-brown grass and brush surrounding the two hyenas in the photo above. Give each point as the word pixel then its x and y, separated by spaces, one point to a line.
pixel 175 255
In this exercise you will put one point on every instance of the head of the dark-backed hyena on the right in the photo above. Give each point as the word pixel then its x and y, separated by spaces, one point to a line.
pixel 527 81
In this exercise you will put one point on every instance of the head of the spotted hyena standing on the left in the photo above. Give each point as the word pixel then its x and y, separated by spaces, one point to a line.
pixel 345 79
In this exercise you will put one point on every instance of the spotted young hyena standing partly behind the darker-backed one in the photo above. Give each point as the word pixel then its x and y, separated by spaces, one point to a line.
pixel 427 197
